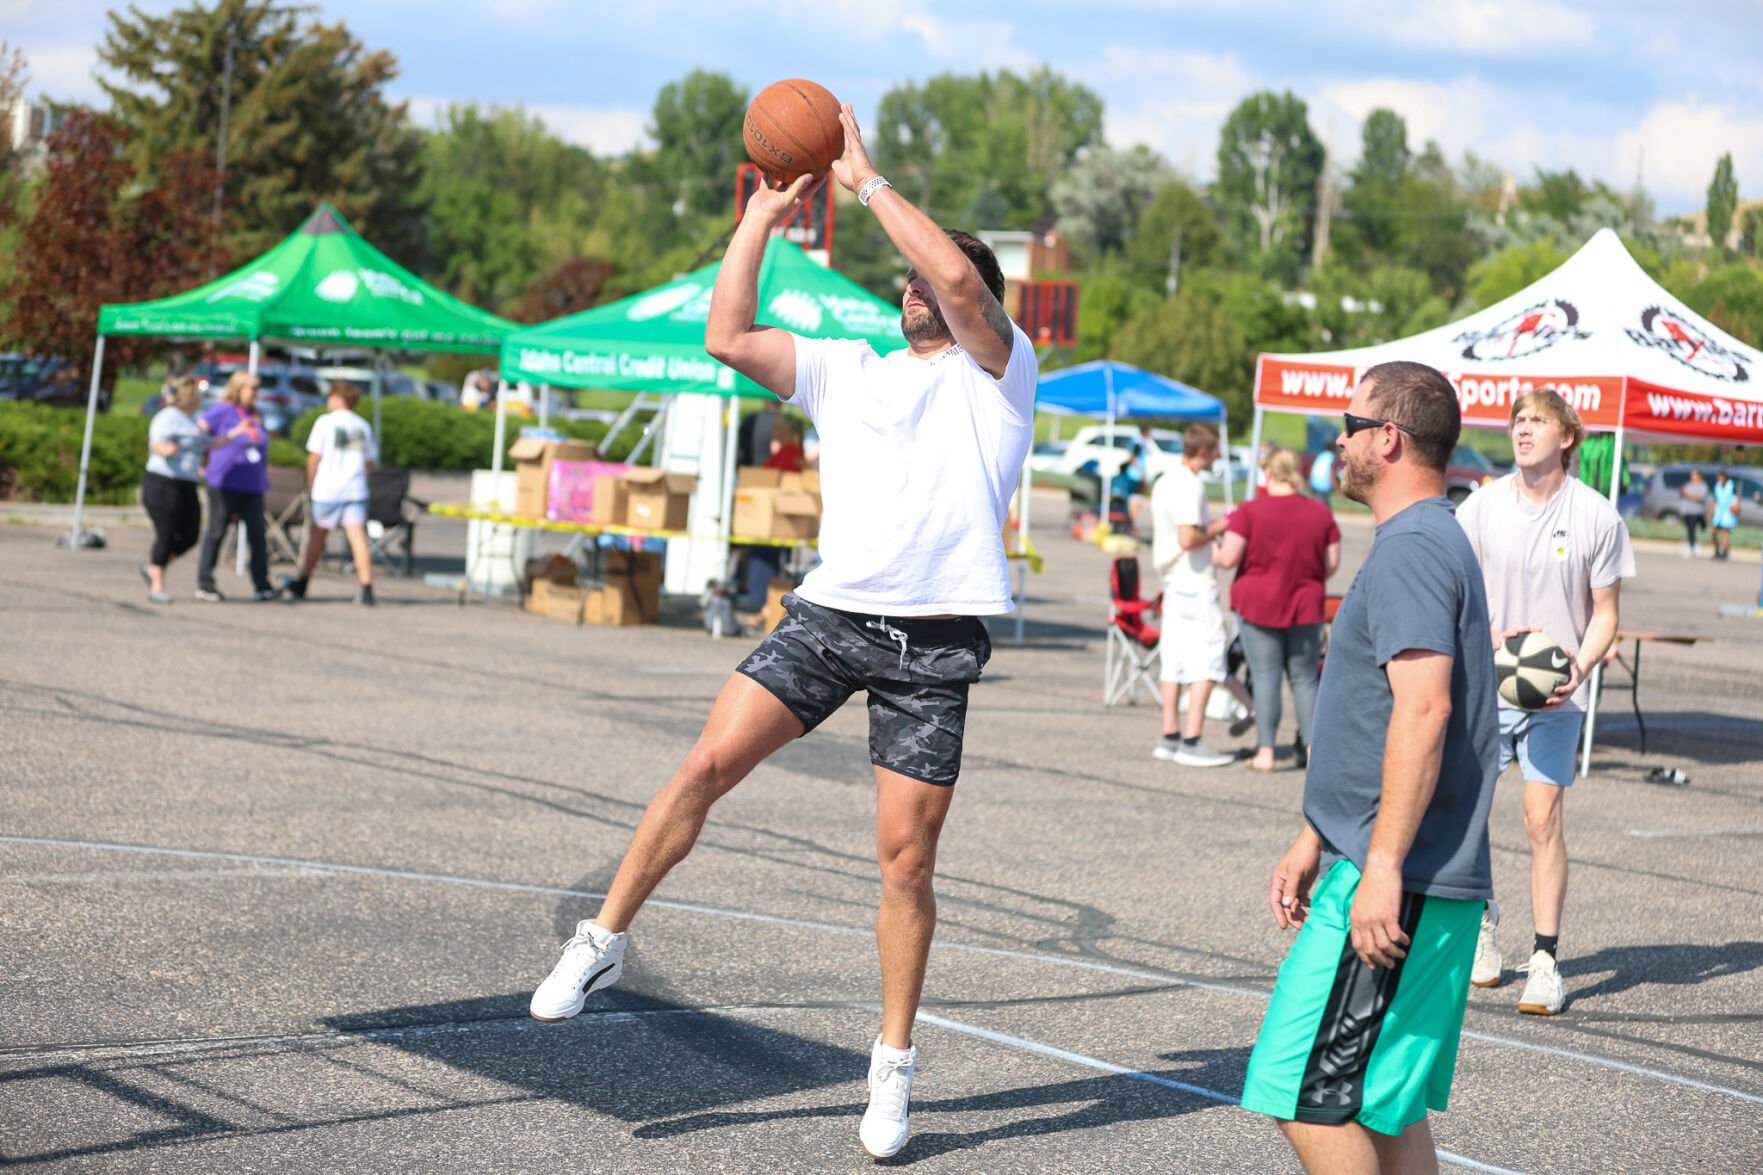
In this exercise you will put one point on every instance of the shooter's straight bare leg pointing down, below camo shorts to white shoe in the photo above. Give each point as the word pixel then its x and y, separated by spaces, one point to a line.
pixel 909 821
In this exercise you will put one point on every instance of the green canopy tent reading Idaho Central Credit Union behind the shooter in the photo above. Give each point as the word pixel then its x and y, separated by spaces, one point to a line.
pixel 653 343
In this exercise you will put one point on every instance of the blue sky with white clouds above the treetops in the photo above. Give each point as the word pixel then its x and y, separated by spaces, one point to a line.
pixel 1607 87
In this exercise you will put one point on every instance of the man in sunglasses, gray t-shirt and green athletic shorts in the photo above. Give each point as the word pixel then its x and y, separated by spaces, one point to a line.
pixel 1360 1037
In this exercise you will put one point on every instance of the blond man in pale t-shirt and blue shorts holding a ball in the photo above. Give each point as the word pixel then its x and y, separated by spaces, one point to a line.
pixel 1554 555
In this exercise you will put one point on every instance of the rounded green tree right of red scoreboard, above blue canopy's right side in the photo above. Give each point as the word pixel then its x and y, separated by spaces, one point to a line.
pixel 1196 343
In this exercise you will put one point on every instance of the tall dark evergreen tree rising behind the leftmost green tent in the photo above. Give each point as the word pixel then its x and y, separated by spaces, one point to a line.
pixel 308 119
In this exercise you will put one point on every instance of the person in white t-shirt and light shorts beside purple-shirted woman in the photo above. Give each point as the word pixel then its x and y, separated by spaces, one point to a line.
pixel 341 454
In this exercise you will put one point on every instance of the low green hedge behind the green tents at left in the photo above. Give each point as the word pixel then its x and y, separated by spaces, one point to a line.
pixel 40 447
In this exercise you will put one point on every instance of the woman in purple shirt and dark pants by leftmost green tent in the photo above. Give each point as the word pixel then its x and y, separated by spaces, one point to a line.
pixel 239 475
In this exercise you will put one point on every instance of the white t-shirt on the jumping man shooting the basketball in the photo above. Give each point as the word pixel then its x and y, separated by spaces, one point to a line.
pixel 918 467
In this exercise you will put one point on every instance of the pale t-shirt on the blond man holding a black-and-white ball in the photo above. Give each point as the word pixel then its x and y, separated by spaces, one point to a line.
pixel 1542 564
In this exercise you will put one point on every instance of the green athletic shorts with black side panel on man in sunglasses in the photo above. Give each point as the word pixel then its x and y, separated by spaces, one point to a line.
pixel 1374 1045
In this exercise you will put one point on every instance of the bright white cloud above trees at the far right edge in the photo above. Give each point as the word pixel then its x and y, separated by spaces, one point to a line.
pixel 1683 142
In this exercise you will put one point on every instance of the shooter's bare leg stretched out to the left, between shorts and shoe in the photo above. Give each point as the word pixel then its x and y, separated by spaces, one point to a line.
pixel 745 728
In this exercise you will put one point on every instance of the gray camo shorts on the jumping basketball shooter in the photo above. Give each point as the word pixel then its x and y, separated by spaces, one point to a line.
pixel 916 671
